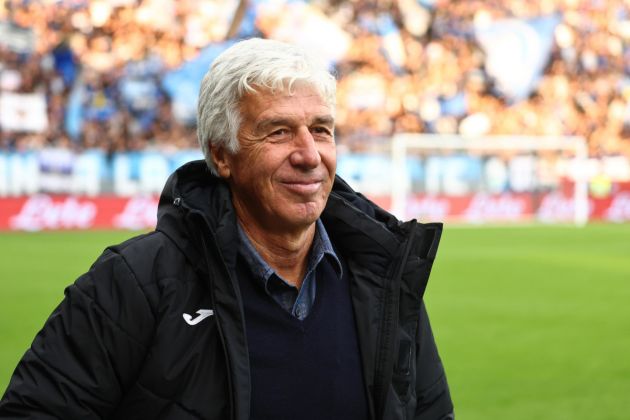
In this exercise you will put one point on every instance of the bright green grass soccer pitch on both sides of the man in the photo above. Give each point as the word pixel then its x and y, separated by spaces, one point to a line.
pixel 532 322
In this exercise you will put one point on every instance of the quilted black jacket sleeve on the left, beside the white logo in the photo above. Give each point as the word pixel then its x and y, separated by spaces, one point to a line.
pixel 89 350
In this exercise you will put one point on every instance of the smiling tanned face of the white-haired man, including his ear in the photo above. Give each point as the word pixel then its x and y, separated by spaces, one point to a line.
pixel 283 172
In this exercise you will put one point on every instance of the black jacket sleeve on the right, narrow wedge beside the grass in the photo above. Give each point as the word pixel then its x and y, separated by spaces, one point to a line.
pixel 434 399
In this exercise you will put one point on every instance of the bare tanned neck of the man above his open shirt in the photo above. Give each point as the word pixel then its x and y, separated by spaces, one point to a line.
pixel 285 252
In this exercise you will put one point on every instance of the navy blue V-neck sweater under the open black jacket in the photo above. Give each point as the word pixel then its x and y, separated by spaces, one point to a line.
pixel 308 369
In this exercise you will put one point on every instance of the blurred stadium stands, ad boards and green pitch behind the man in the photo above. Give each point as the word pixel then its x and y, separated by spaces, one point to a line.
pixel 97 106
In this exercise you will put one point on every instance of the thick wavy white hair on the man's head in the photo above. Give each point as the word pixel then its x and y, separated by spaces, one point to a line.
pixel 241 69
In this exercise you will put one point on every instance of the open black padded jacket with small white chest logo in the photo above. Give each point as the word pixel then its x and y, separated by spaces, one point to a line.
pixel 118 347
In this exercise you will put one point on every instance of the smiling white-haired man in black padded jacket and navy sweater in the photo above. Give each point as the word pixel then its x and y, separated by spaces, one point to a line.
pixel 269 290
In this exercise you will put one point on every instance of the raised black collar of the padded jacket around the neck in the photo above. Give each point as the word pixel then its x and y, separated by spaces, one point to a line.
pixel 193 194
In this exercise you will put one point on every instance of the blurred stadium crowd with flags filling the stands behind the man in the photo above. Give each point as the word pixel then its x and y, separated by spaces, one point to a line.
pixel 112 74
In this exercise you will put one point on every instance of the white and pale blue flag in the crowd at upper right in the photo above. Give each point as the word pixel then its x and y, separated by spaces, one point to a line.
pixel 517 51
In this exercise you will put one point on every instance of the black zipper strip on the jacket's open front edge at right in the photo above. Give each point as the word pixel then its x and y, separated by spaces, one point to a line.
pixel 387 331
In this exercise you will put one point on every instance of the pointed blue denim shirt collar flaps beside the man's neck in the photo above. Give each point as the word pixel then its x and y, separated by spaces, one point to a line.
pixel 322 247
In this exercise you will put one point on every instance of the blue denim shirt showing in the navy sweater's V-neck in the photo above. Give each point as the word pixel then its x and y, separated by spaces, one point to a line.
pixel 297 302
